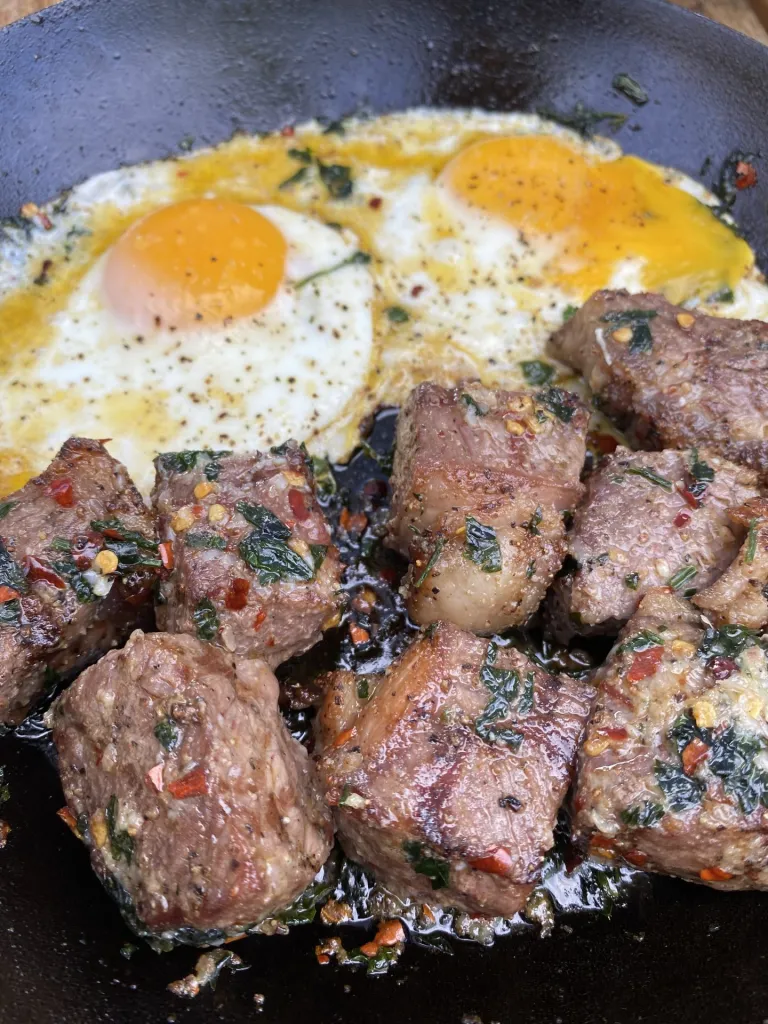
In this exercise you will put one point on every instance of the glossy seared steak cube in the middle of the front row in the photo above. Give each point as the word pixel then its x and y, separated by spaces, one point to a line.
pixel 448 773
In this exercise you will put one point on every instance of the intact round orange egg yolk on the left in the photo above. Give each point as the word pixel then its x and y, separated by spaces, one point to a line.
pixel 195 263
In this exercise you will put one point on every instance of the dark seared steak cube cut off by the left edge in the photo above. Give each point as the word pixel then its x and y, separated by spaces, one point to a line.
pixel 78 566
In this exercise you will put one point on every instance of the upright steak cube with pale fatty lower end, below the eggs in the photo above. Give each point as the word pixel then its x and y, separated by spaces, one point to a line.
pixel 482 481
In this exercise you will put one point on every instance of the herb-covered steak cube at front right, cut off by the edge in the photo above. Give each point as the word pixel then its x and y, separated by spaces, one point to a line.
pixel 673 776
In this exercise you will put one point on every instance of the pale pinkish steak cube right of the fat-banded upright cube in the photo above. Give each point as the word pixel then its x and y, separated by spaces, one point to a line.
pixel 650 520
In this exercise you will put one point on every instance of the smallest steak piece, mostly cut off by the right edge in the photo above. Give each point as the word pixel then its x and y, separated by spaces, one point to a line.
pixel 740 594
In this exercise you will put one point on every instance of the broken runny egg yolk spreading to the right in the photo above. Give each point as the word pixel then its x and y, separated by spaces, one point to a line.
pixel 599 215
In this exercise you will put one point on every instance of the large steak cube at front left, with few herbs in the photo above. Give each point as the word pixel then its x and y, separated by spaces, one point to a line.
pixel 199 808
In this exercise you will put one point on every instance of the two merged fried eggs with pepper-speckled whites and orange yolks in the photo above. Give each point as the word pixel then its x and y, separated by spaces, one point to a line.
pixel 288 285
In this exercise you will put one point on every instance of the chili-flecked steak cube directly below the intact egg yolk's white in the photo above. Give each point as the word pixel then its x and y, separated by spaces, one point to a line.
pixel 254 570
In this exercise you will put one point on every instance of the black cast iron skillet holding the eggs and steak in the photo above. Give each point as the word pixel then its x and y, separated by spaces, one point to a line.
pixel 93 84
